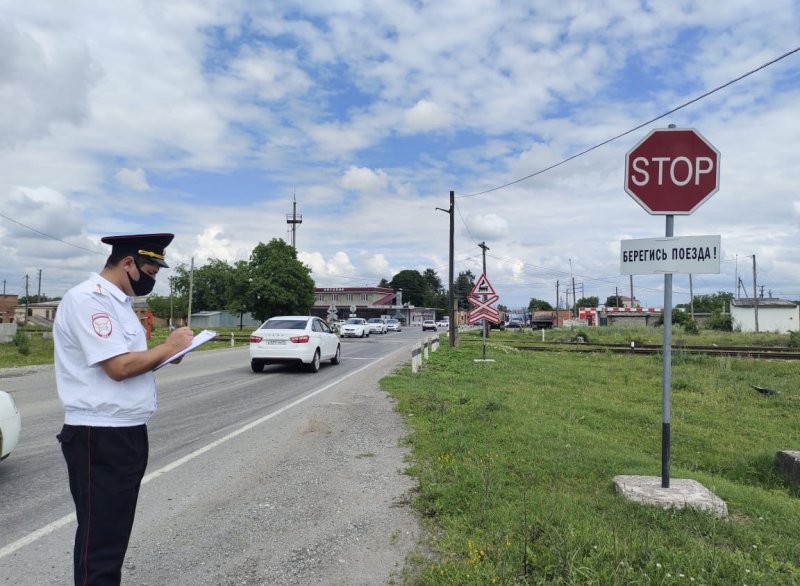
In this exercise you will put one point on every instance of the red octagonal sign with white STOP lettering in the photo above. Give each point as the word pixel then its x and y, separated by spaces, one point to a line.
pixel 672 171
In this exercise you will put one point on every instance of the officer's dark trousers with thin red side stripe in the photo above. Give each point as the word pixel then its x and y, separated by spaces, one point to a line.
pixel 106 466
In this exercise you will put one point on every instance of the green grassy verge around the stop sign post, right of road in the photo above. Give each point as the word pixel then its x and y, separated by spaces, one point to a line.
pixel 515 460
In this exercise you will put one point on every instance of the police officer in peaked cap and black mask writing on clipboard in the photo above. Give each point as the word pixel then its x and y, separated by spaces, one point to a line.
pixel 107 388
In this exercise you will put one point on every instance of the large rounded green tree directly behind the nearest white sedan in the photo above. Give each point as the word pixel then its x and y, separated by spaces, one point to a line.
pixel 278 283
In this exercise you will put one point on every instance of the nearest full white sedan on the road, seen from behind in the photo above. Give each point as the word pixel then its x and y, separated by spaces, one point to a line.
pixel 299 339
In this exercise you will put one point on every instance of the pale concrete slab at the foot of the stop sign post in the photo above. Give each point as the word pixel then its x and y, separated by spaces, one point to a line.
pixel 679 495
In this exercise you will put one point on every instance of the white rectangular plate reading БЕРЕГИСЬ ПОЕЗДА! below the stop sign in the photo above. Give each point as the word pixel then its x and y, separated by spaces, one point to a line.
pixel 697 255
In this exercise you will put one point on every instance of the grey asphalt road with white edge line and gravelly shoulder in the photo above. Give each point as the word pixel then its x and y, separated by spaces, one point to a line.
pixel 280 477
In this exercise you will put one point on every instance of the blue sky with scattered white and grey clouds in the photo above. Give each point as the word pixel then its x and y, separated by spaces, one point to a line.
pixel 206 118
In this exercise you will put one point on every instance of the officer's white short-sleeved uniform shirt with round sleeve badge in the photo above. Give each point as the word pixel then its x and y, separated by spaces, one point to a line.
pixel 95 321
